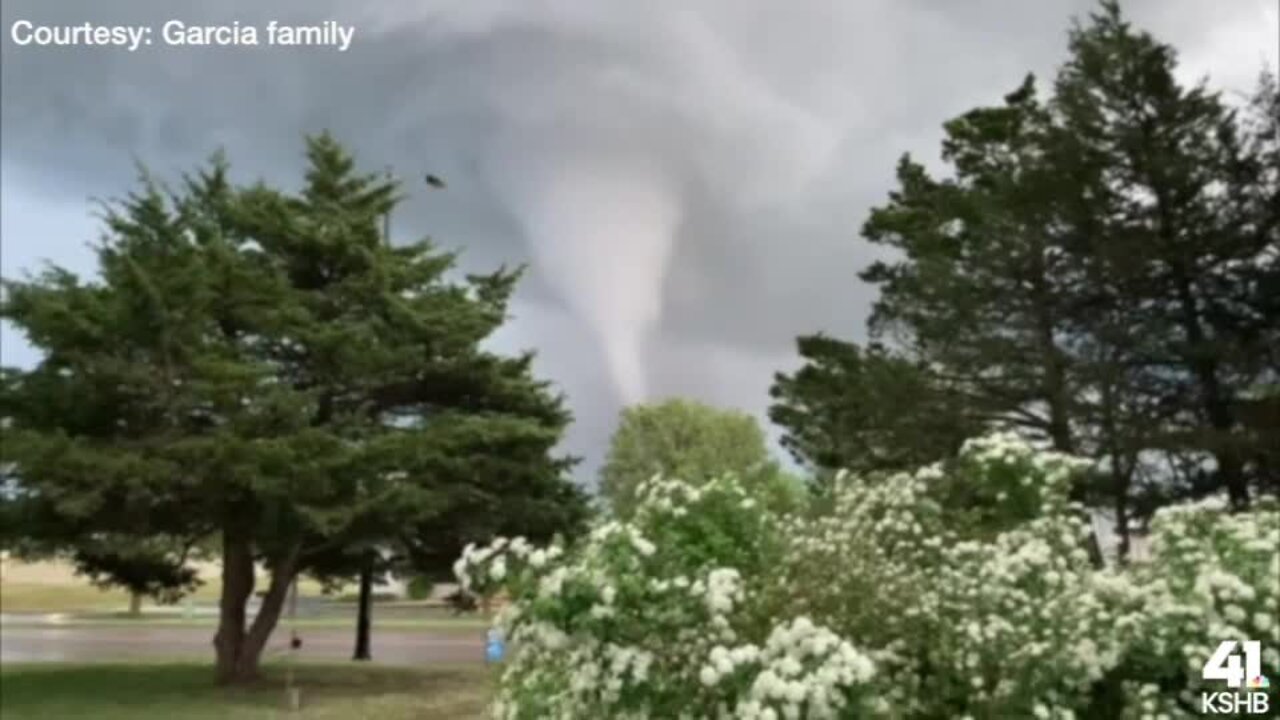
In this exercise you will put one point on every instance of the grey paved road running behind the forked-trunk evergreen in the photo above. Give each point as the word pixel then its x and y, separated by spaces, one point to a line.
pixel 53 644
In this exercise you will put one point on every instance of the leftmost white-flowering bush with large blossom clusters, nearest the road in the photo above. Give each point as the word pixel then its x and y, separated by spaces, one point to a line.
pixel 664 617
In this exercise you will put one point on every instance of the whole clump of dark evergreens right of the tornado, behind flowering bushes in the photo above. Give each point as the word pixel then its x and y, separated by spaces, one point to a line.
pixel 1098 270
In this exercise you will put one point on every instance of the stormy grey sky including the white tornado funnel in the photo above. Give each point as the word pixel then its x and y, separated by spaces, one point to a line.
pixel 685 179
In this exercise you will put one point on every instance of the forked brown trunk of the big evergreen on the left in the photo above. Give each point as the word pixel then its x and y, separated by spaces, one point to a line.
pixel 240 646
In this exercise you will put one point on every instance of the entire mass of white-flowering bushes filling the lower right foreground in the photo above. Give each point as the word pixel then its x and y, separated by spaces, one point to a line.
pixel 961 590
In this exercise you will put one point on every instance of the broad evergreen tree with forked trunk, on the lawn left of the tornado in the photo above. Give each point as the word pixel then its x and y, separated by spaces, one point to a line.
pixel 260 366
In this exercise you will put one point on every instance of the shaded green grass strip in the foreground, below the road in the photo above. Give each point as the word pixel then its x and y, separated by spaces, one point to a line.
pixel 162 692
